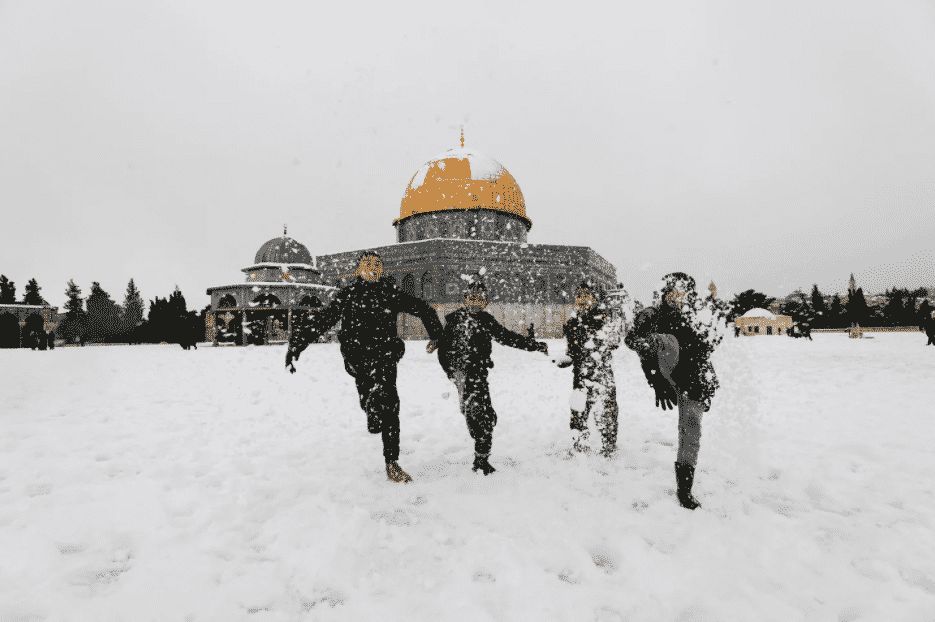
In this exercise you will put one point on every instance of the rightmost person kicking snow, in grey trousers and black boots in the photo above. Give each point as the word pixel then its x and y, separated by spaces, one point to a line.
pixel 674 340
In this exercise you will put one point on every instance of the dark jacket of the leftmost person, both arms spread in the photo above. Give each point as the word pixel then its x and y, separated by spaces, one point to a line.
pixel 367 312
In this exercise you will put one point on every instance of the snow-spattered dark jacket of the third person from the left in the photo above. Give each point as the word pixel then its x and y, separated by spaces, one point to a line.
pixel 590 347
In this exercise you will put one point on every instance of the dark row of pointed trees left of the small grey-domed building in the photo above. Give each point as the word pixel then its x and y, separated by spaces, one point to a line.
pixel 99 319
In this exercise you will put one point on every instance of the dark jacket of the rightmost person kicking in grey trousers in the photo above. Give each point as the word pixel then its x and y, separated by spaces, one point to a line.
pixel 693 375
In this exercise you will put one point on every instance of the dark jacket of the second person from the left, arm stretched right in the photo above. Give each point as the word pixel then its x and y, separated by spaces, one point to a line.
pixel 466 343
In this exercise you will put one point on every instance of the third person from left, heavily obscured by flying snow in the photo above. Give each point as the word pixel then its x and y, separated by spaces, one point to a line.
pixel 592 334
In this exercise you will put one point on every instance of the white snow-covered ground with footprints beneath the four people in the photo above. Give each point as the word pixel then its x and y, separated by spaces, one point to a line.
pixel 150 483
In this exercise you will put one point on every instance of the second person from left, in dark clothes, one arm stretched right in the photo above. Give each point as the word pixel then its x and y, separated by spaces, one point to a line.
pixel 464 353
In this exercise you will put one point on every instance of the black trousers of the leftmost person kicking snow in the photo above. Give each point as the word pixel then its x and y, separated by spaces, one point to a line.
pixel 375 375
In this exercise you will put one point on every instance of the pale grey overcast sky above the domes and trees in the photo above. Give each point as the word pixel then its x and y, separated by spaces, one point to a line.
pixel 766 145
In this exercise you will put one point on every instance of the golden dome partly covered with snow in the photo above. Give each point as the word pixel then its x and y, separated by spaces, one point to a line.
pixel 461 179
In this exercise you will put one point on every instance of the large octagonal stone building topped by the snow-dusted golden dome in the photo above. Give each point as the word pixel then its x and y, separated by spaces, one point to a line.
pixel 464 213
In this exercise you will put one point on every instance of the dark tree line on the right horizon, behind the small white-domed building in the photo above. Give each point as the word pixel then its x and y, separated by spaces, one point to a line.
pixel 902 307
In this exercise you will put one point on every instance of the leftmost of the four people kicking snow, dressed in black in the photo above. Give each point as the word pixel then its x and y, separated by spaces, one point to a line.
pixel 367 309
